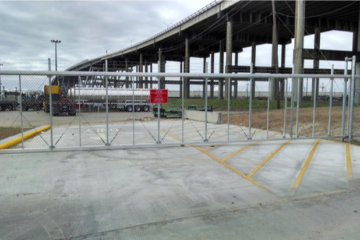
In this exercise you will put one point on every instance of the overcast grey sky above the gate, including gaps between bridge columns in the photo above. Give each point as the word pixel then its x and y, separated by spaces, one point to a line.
pixel 87 29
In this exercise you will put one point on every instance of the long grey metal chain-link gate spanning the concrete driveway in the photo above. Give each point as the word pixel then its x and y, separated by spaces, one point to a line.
pixel 107 109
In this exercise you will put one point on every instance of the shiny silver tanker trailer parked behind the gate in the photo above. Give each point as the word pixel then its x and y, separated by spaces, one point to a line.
pixel 119 99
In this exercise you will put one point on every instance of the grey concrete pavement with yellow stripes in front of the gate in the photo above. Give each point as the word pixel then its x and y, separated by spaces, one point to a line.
pixel 243 190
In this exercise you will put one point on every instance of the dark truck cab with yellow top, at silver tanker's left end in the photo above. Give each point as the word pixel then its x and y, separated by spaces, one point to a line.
pixel 60 104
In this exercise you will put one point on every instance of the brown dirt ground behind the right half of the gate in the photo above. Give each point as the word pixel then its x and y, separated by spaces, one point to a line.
pixel 276 121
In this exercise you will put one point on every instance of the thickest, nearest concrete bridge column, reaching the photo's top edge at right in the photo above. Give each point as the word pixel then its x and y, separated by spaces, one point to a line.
pixel 299 45
